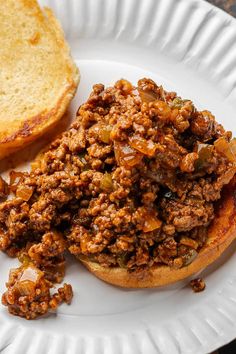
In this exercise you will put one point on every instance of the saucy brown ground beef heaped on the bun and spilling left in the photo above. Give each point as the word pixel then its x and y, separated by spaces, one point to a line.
pixel 132 184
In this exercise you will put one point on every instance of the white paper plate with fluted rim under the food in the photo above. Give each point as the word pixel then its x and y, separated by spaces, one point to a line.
pixel 190 47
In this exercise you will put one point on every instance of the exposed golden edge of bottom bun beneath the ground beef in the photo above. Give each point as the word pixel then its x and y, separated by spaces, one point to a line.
pixel 220 235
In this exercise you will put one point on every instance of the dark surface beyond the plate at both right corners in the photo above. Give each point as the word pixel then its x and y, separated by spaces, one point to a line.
pixel 230 7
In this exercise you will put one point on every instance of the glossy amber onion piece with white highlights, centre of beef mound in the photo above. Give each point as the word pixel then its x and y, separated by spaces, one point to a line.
pixel 126 155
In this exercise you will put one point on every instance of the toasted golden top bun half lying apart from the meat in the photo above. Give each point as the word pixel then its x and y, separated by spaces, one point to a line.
pixel 37 74
